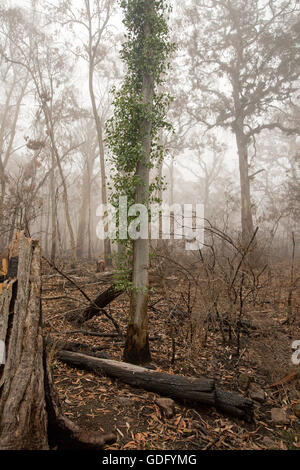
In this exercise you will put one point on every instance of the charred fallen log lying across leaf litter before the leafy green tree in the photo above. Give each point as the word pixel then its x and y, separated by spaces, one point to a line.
pixel 194 390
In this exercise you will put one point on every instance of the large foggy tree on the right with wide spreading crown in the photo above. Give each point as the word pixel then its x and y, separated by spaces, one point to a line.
pixel 243 60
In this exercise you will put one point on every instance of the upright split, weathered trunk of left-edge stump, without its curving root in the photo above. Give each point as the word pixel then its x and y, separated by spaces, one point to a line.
pixel 23 417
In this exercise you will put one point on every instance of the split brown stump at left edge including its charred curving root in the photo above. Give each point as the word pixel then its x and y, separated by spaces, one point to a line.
pixel 30 414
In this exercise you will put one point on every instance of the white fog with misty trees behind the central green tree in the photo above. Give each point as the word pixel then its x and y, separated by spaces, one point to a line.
pixel 235 117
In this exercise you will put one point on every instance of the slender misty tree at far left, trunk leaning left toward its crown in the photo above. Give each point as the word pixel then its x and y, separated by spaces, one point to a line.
pixel 49 69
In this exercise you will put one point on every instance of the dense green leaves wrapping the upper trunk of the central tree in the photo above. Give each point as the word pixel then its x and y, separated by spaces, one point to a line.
pixel 145 53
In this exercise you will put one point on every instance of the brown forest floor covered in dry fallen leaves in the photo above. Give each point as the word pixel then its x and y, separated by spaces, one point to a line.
pixel 102 404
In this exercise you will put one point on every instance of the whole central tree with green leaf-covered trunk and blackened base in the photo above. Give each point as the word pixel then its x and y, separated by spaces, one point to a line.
pixel 133 137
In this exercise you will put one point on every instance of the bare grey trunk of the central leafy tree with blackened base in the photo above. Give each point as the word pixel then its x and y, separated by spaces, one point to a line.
pixel 137 349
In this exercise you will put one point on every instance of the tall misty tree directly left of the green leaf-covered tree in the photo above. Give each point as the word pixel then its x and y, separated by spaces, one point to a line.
pixel 90 21
